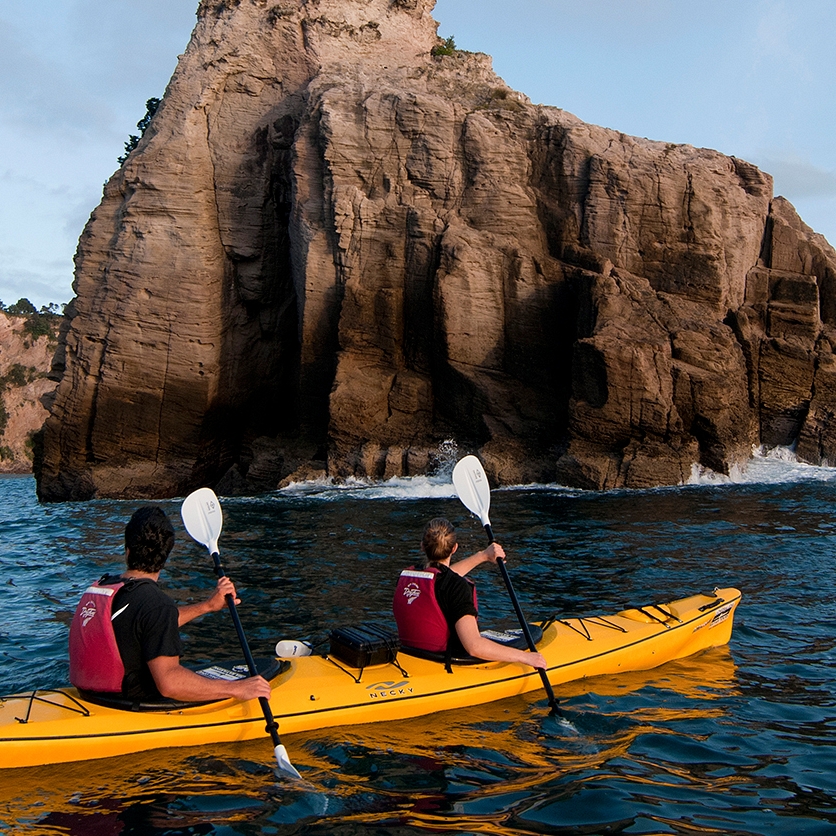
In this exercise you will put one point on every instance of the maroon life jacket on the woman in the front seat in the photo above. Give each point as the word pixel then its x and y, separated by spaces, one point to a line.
pixel 421 623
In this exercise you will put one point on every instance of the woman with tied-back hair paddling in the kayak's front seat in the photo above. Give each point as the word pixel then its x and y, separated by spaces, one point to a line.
pixel 435 606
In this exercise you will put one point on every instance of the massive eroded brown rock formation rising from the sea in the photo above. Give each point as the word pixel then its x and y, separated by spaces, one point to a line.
pixel 332 251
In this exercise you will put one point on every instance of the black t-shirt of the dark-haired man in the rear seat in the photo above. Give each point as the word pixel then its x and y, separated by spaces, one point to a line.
pixel 145 623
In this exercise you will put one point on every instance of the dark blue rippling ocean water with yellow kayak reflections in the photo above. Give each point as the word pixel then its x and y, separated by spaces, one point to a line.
pixel 737 740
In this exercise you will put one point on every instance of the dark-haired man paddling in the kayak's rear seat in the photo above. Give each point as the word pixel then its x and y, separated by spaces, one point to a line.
pixel 125 638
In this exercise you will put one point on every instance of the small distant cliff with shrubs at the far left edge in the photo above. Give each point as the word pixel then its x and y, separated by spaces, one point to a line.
pixel 25 360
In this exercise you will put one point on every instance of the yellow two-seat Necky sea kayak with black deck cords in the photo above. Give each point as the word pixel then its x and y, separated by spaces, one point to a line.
pixel 317 691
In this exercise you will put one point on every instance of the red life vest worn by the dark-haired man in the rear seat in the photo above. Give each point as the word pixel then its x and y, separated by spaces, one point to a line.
pixel 95 662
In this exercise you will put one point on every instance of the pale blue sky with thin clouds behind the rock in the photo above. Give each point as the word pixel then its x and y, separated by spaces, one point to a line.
pixel 750 78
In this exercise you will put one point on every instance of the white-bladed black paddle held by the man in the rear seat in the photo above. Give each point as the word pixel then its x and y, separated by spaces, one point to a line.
pixel 203 518
